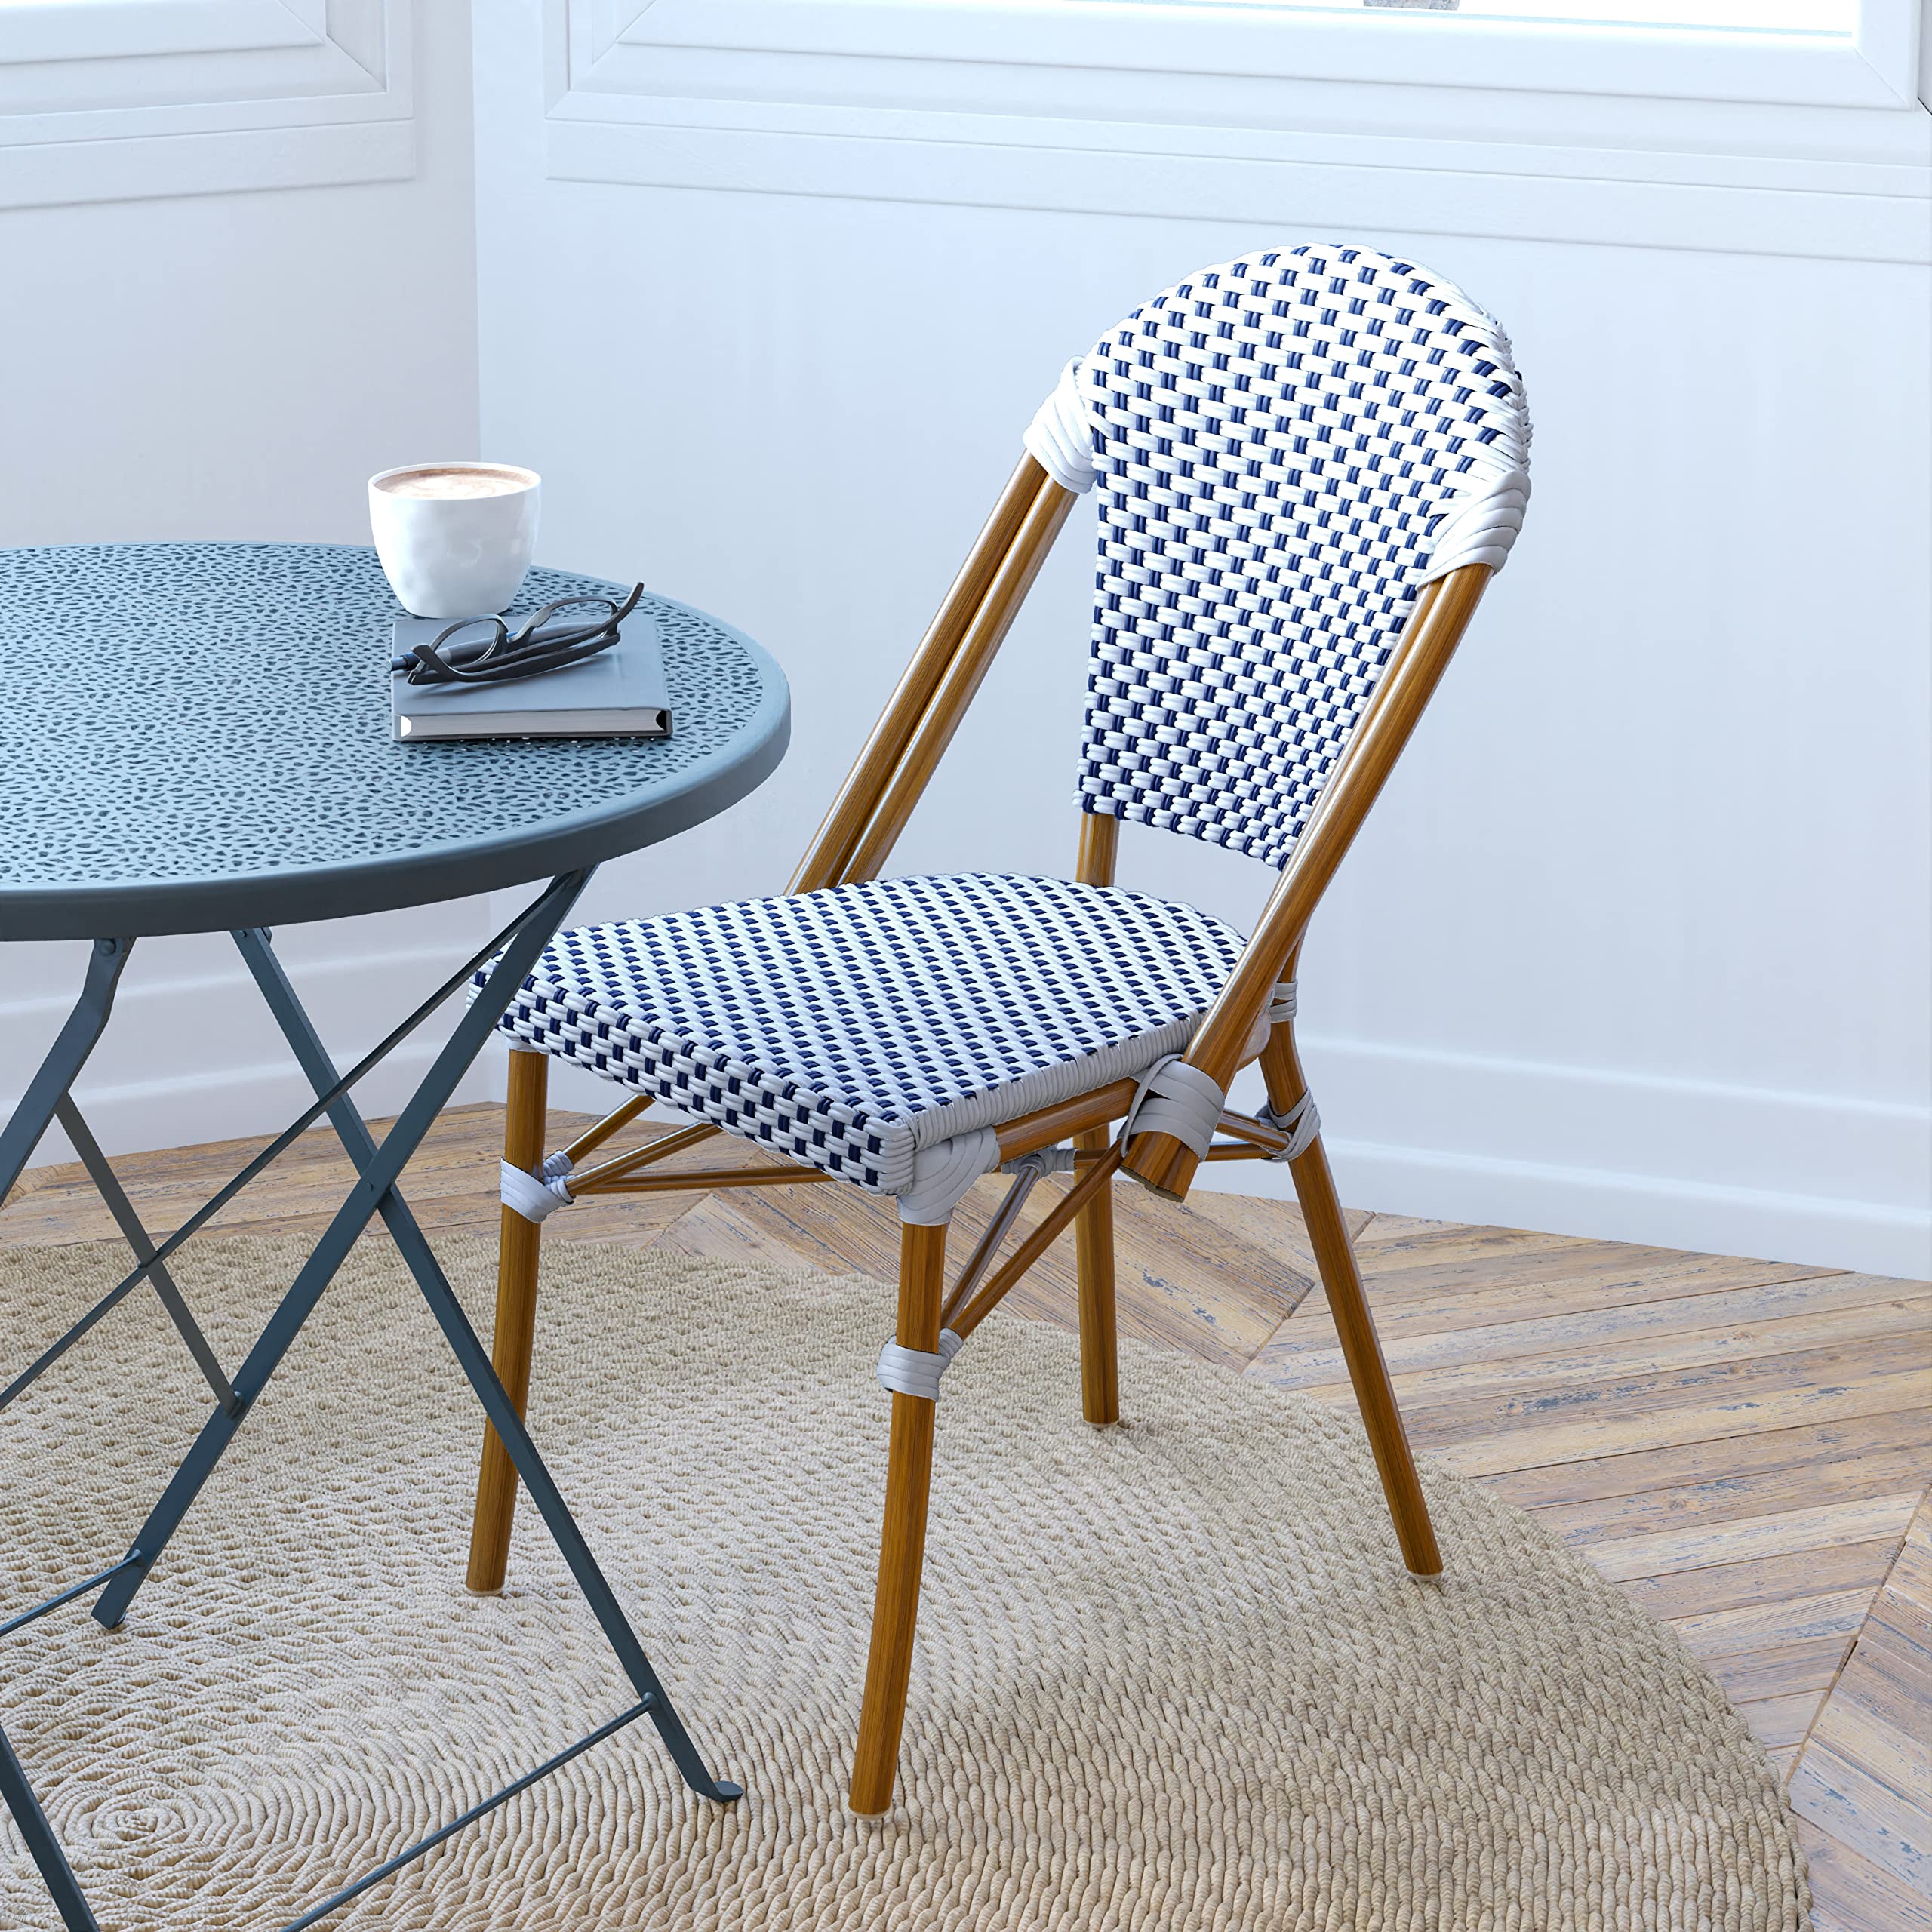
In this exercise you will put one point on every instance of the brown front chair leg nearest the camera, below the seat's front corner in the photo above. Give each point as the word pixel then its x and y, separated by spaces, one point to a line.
pixel 895 1610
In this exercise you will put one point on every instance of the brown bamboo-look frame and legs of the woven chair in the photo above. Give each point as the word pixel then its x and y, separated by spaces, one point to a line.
pixel 855 843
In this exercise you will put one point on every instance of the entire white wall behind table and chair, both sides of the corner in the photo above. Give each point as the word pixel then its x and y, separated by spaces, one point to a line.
pixel 1637 944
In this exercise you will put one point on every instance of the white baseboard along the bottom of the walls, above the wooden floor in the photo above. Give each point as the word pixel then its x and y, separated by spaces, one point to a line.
pixel 1790 1178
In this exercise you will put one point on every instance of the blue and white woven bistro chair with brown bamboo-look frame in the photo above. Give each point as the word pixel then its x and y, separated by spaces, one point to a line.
pixel 1309 465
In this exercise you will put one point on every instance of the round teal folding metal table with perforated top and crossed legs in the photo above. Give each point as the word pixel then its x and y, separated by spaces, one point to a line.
pixel 196 737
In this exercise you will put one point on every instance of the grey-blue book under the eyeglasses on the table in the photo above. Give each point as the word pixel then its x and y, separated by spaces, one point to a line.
pixel 615 695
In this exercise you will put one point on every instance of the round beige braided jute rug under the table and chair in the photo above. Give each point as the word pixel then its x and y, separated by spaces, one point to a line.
pixel 1170 1676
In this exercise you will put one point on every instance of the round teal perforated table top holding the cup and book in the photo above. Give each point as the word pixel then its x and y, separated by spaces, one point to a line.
pixel 198 737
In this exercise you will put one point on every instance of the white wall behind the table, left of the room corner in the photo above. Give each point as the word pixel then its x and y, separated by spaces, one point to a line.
pixel 237 366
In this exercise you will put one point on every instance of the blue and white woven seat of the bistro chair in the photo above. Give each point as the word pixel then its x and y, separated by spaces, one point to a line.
pixel 853 1027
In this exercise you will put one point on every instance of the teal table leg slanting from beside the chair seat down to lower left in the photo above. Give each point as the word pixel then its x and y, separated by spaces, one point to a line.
pixel 528 940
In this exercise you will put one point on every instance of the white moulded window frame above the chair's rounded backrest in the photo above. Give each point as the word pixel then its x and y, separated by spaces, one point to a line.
pixel 1465 128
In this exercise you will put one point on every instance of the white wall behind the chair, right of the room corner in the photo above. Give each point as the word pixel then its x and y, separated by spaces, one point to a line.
pixel 1637 944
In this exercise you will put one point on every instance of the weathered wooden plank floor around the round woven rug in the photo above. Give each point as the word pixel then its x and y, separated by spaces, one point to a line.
pixel 1742 1446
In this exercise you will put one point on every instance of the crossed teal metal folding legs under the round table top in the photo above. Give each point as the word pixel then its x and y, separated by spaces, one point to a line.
pixel 374 1195
